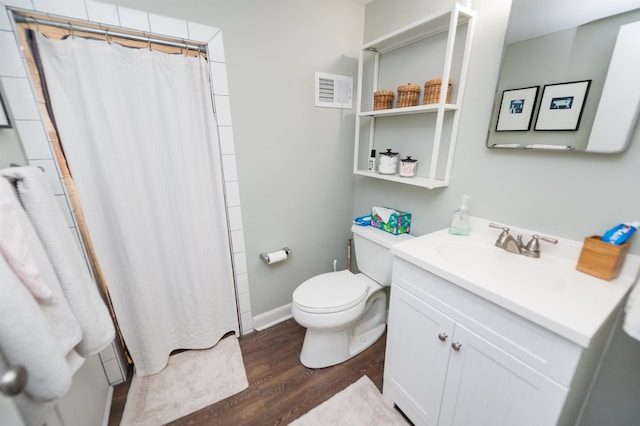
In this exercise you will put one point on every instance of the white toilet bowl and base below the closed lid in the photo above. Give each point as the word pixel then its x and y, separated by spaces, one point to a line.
pixel 323 348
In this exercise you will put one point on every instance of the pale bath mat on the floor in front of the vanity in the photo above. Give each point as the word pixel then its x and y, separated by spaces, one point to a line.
pixel 361 403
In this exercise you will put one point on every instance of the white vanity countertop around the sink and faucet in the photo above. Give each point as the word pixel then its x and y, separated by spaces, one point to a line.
pixel 576 309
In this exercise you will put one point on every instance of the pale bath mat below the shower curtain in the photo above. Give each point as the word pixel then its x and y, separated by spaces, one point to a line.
pixel 191 380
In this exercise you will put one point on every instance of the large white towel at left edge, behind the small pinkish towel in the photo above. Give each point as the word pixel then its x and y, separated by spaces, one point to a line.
pixel 39 335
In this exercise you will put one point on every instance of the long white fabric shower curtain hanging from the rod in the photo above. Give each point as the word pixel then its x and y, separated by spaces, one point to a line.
pixel 139 134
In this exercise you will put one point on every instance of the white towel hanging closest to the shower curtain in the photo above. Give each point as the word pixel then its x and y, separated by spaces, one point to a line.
pixel 79 289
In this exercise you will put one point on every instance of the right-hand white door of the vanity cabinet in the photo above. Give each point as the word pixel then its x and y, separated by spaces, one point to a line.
pixel 487 386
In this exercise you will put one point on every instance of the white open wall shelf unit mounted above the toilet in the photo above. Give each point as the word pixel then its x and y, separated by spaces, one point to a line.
pixel 437 46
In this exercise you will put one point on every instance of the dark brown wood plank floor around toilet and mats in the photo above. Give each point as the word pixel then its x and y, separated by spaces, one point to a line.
pixel 280 388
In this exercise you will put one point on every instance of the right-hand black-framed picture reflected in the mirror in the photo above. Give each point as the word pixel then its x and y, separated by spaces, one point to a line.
pixel 562 105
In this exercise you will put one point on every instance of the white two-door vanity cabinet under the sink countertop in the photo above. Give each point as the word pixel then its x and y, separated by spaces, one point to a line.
pixel 454 358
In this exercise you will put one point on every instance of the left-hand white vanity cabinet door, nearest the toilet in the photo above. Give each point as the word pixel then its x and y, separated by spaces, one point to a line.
pixel 416 359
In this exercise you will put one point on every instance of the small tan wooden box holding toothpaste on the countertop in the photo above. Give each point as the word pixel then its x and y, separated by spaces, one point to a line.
pixel 600 259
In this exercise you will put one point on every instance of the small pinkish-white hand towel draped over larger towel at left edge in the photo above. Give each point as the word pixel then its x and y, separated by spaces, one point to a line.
pixel 14 248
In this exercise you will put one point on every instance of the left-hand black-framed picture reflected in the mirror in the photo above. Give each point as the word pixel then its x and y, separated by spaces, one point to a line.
pixel 516 109
